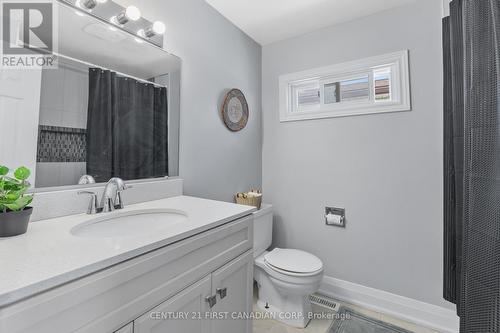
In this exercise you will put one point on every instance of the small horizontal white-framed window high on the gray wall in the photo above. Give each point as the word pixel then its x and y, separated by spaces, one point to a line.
pixel 372 85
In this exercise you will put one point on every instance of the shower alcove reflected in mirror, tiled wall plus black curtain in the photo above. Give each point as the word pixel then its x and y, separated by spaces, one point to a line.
pixel 104 125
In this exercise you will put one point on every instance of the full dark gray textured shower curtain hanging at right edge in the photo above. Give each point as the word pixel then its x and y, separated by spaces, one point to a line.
pixel 472 163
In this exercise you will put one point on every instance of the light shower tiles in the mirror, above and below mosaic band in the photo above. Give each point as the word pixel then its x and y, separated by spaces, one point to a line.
pixel 63 103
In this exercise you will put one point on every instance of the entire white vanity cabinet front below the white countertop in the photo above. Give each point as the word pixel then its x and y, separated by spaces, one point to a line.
pixel 127 296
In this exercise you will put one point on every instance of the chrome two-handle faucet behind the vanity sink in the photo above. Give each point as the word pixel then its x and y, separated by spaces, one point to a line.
pixel 111 197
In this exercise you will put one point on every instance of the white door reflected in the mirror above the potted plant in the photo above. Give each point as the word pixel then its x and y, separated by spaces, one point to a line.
pixel 19 113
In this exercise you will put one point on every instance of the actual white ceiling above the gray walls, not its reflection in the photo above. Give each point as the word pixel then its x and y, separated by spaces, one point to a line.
pixel 268 21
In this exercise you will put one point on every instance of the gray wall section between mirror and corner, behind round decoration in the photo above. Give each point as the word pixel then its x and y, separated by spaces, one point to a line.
pixel 216 56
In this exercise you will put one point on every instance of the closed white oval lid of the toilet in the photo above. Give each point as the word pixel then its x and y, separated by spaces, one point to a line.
pixel 295 261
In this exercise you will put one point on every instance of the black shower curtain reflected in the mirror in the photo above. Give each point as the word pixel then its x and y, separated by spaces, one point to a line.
pixel 127 128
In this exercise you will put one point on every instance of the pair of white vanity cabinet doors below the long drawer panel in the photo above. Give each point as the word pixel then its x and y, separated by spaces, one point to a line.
pixel 230 288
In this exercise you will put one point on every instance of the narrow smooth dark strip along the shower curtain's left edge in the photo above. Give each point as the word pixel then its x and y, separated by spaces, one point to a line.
pixel 453 149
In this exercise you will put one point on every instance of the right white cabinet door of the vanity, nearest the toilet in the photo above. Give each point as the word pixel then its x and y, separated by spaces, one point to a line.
pixel 233 285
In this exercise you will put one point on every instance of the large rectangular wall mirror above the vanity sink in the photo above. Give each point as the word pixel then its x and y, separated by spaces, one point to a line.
pixel 110 109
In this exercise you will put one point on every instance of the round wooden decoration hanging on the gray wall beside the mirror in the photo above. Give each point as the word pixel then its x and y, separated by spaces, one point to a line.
pixel 235 110
